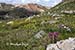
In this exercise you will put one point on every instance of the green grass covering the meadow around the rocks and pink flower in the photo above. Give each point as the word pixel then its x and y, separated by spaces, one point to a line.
pixel 22 31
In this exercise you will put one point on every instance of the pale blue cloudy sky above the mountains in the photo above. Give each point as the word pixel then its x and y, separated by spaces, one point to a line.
pixel 41 2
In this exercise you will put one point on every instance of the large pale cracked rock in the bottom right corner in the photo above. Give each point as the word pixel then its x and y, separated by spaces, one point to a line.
pixel 68 44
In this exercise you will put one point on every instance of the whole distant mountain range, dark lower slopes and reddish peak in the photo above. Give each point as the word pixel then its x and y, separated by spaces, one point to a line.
pixel 19 11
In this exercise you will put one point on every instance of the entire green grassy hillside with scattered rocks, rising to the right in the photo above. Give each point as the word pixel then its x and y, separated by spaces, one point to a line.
pixel 34 31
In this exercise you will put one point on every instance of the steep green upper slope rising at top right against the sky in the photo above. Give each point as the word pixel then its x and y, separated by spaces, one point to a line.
pixel 64 7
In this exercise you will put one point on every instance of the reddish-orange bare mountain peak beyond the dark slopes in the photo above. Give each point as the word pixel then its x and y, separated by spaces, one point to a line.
pixel 32 7
